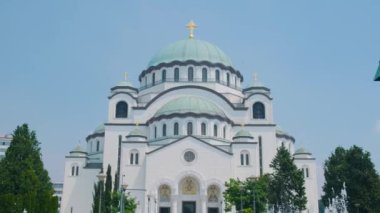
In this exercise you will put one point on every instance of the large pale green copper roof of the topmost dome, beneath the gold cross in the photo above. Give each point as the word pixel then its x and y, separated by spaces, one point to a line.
pixel 190 49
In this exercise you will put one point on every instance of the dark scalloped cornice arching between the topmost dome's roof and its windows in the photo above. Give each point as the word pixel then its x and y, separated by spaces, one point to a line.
pixel 191 62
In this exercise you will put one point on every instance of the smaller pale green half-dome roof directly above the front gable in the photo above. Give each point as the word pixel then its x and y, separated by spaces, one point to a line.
pixel 190 104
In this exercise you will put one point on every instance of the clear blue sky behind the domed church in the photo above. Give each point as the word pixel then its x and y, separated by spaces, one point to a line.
pixel 59 59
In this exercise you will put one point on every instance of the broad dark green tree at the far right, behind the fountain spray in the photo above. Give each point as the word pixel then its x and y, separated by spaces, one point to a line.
pixel 354 169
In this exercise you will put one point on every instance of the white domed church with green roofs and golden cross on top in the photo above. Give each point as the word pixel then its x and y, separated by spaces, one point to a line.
pixel 176 139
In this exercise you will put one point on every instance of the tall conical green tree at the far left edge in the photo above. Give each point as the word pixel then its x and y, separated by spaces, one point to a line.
pixel 25 184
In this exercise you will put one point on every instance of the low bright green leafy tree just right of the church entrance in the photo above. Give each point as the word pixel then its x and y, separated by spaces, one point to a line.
pixel 248 189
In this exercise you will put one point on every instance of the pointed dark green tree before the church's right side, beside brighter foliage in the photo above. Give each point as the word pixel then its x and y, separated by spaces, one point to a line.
pixel 286 185
